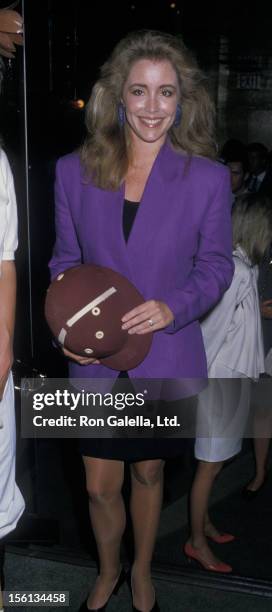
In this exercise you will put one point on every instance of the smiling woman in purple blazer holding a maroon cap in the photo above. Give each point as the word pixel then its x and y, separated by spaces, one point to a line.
pixel 150 127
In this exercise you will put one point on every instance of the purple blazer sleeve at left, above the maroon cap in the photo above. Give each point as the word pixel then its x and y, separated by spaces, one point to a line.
pixel 66 252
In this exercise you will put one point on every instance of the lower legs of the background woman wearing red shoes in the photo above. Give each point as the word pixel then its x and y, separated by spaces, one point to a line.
pixel 200 522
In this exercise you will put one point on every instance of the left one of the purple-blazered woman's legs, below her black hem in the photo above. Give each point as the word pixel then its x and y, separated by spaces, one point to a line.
pixel 104 479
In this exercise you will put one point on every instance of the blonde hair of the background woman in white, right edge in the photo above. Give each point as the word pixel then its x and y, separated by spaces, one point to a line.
pixel 252 225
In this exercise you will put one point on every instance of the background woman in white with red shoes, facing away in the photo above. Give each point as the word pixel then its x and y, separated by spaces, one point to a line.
pixel 233 341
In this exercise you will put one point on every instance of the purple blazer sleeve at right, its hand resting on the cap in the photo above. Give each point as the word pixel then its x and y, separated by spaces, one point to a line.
pixel 213 265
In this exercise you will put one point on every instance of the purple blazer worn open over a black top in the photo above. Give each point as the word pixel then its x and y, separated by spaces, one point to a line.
pixel 179 250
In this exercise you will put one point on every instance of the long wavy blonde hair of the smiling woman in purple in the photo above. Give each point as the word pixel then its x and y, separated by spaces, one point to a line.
pixel 105 152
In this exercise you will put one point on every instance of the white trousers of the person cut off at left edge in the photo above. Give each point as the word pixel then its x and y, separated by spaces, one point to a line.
pixel 11 501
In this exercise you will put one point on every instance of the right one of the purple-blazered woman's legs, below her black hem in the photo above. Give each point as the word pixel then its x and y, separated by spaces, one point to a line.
pixel 146 500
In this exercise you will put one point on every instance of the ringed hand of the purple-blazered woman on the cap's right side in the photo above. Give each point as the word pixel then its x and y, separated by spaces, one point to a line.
pixel 148 317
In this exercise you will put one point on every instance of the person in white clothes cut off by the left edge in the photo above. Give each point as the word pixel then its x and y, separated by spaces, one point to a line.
pixel 11 500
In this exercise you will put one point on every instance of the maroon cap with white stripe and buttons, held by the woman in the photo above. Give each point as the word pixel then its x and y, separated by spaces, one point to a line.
pixel 84 307
